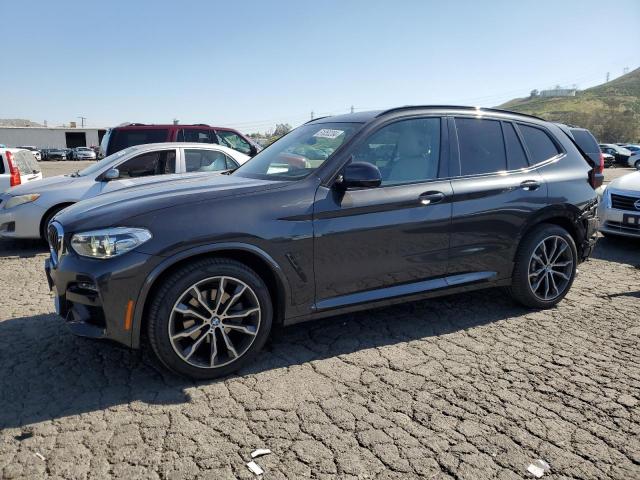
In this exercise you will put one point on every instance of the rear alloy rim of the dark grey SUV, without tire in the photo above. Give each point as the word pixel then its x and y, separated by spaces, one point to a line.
pixel 550 268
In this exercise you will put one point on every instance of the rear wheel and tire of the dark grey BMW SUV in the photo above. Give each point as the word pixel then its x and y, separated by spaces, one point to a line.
pixel 531 290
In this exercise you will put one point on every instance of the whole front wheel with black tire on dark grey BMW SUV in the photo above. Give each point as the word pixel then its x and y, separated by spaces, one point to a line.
pixel 177 309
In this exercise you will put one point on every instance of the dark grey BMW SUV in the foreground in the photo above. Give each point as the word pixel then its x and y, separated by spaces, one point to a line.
pixel 344 213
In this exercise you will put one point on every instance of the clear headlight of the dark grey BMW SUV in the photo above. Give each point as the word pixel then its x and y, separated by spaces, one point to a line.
pixel 109 242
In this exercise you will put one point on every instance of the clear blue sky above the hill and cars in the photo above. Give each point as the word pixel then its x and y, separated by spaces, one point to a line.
pixel 250 64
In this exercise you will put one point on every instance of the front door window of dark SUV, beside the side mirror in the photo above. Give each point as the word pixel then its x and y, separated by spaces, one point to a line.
pixel 405 151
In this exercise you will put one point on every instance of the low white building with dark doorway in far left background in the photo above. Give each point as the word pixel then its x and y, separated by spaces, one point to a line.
pixel 49 137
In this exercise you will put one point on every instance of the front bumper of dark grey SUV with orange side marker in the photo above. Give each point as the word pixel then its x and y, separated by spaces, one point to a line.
pixel 93 296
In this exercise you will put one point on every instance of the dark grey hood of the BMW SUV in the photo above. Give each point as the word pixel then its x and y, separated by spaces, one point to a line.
pixel 118 207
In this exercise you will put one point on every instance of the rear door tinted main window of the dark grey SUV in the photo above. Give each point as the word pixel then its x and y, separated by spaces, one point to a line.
pixel 481 146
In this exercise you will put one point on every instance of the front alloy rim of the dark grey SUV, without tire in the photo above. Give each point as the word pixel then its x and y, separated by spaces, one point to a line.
pixel 214 322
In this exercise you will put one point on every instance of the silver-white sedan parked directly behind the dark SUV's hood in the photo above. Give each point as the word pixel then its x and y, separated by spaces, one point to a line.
pixel 25 211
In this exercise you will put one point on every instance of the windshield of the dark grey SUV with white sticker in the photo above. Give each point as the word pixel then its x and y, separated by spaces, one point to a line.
pixel 300 152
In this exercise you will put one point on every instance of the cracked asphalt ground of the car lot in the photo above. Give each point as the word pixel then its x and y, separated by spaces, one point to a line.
pixel 470 386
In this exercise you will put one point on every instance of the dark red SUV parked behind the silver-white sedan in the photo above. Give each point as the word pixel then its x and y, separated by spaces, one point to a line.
pixel 126 135
